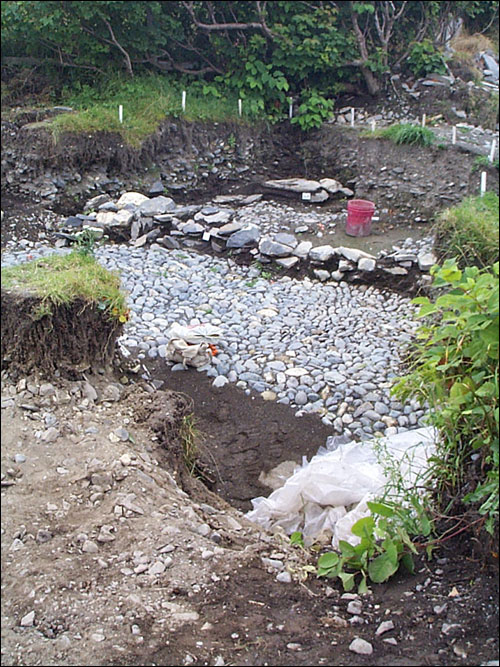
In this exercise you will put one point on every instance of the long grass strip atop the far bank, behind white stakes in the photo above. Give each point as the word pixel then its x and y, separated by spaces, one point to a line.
pixel 146 102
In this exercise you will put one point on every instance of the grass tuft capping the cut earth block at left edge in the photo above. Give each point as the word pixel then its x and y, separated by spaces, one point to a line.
pixel 63 279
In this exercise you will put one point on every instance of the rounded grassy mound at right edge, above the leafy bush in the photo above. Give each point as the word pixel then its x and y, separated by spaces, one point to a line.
pixel 469 231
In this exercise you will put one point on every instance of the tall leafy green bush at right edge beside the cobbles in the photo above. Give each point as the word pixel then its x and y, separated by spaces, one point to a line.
pixel 455 370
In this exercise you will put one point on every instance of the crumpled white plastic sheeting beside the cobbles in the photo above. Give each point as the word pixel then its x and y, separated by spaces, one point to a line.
pixel 331 491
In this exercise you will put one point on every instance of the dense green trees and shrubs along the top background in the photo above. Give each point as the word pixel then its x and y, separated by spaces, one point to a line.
pixel 279 47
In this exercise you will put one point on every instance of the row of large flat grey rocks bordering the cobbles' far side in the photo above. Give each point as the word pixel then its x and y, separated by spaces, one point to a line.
pixel 140 221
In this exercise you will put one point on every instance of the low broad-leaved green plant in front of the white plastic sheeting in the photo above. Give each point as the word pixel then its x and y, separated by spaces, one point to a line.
pixel 384 546
